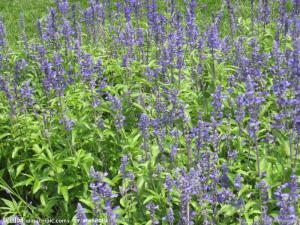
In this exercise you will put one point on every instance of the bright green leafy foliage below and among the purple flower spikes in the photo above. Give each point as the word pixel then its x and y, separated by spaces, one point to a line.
pixel 45 166
